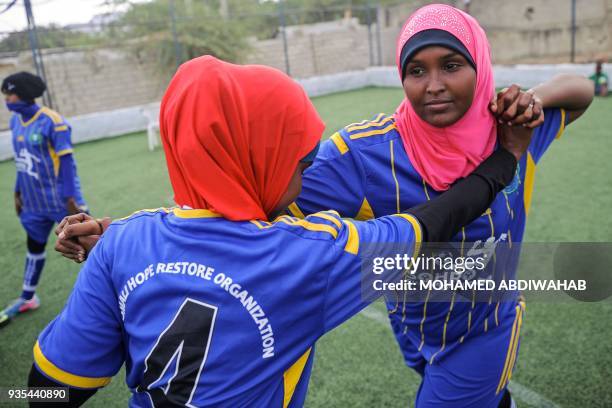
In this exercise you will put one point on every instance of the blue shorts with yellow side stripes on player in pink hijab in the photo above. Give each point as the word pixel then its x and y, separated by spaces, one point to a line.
pixel 474 373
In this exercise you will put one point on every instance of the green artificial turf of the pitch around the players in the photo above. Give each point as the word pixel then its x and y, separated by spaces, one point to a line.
pixel 566 351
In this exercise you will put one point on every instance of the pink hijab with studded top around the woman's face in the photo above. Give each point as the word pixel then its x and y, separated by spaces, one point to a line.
pixel 443 155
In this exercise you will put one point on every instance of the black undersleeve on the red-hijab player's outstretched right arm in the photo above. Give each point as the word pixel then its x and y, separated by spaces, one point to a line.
pixel 442 217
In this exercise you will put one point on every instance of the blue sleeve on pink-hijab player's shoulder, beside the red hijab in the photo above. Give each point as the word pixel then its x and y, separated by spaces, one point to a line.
pixel 334 181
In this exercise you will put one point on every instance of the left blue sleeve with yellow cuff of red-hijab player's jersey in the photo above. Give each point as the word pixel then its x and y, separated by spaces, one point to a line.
pixel 82 346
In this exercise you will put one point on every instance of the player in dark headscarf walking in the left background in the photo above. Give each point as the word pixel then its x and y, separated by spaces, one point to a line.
pixel 47 186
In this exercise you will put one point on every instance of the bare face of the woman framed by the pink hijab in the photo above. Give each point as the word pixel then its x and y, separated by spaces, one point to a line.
pixel 440 85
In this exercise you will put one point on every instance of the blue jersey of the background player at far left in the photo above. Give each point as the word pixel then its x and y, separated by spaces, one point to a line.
pixel 37 146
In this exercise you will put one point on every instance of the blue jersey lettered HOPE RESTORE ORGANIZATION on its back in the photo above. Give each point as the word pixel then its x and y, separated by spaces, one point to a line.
pixel 209 312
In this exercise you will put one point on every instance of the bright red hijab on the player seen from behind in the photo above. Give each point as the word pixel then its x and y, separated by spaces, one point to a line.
pixel 233 136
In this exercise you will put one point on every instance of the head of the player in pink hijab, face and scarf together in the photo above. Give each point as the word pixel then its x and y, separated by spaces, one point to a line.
pixel 446 130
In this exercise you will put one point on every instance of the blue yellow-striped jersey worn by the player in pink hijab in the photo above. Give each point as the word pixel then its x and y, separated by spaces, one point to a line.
pixel 363 171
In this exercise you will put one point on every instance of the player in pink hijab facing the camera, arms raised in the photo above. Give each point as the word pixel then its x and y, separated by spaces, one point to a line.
pixel 464 351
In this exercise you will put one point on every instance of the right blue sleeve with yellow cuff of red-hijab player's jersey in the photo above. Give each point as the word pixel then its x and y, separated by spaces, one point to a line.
pixel 350 278
